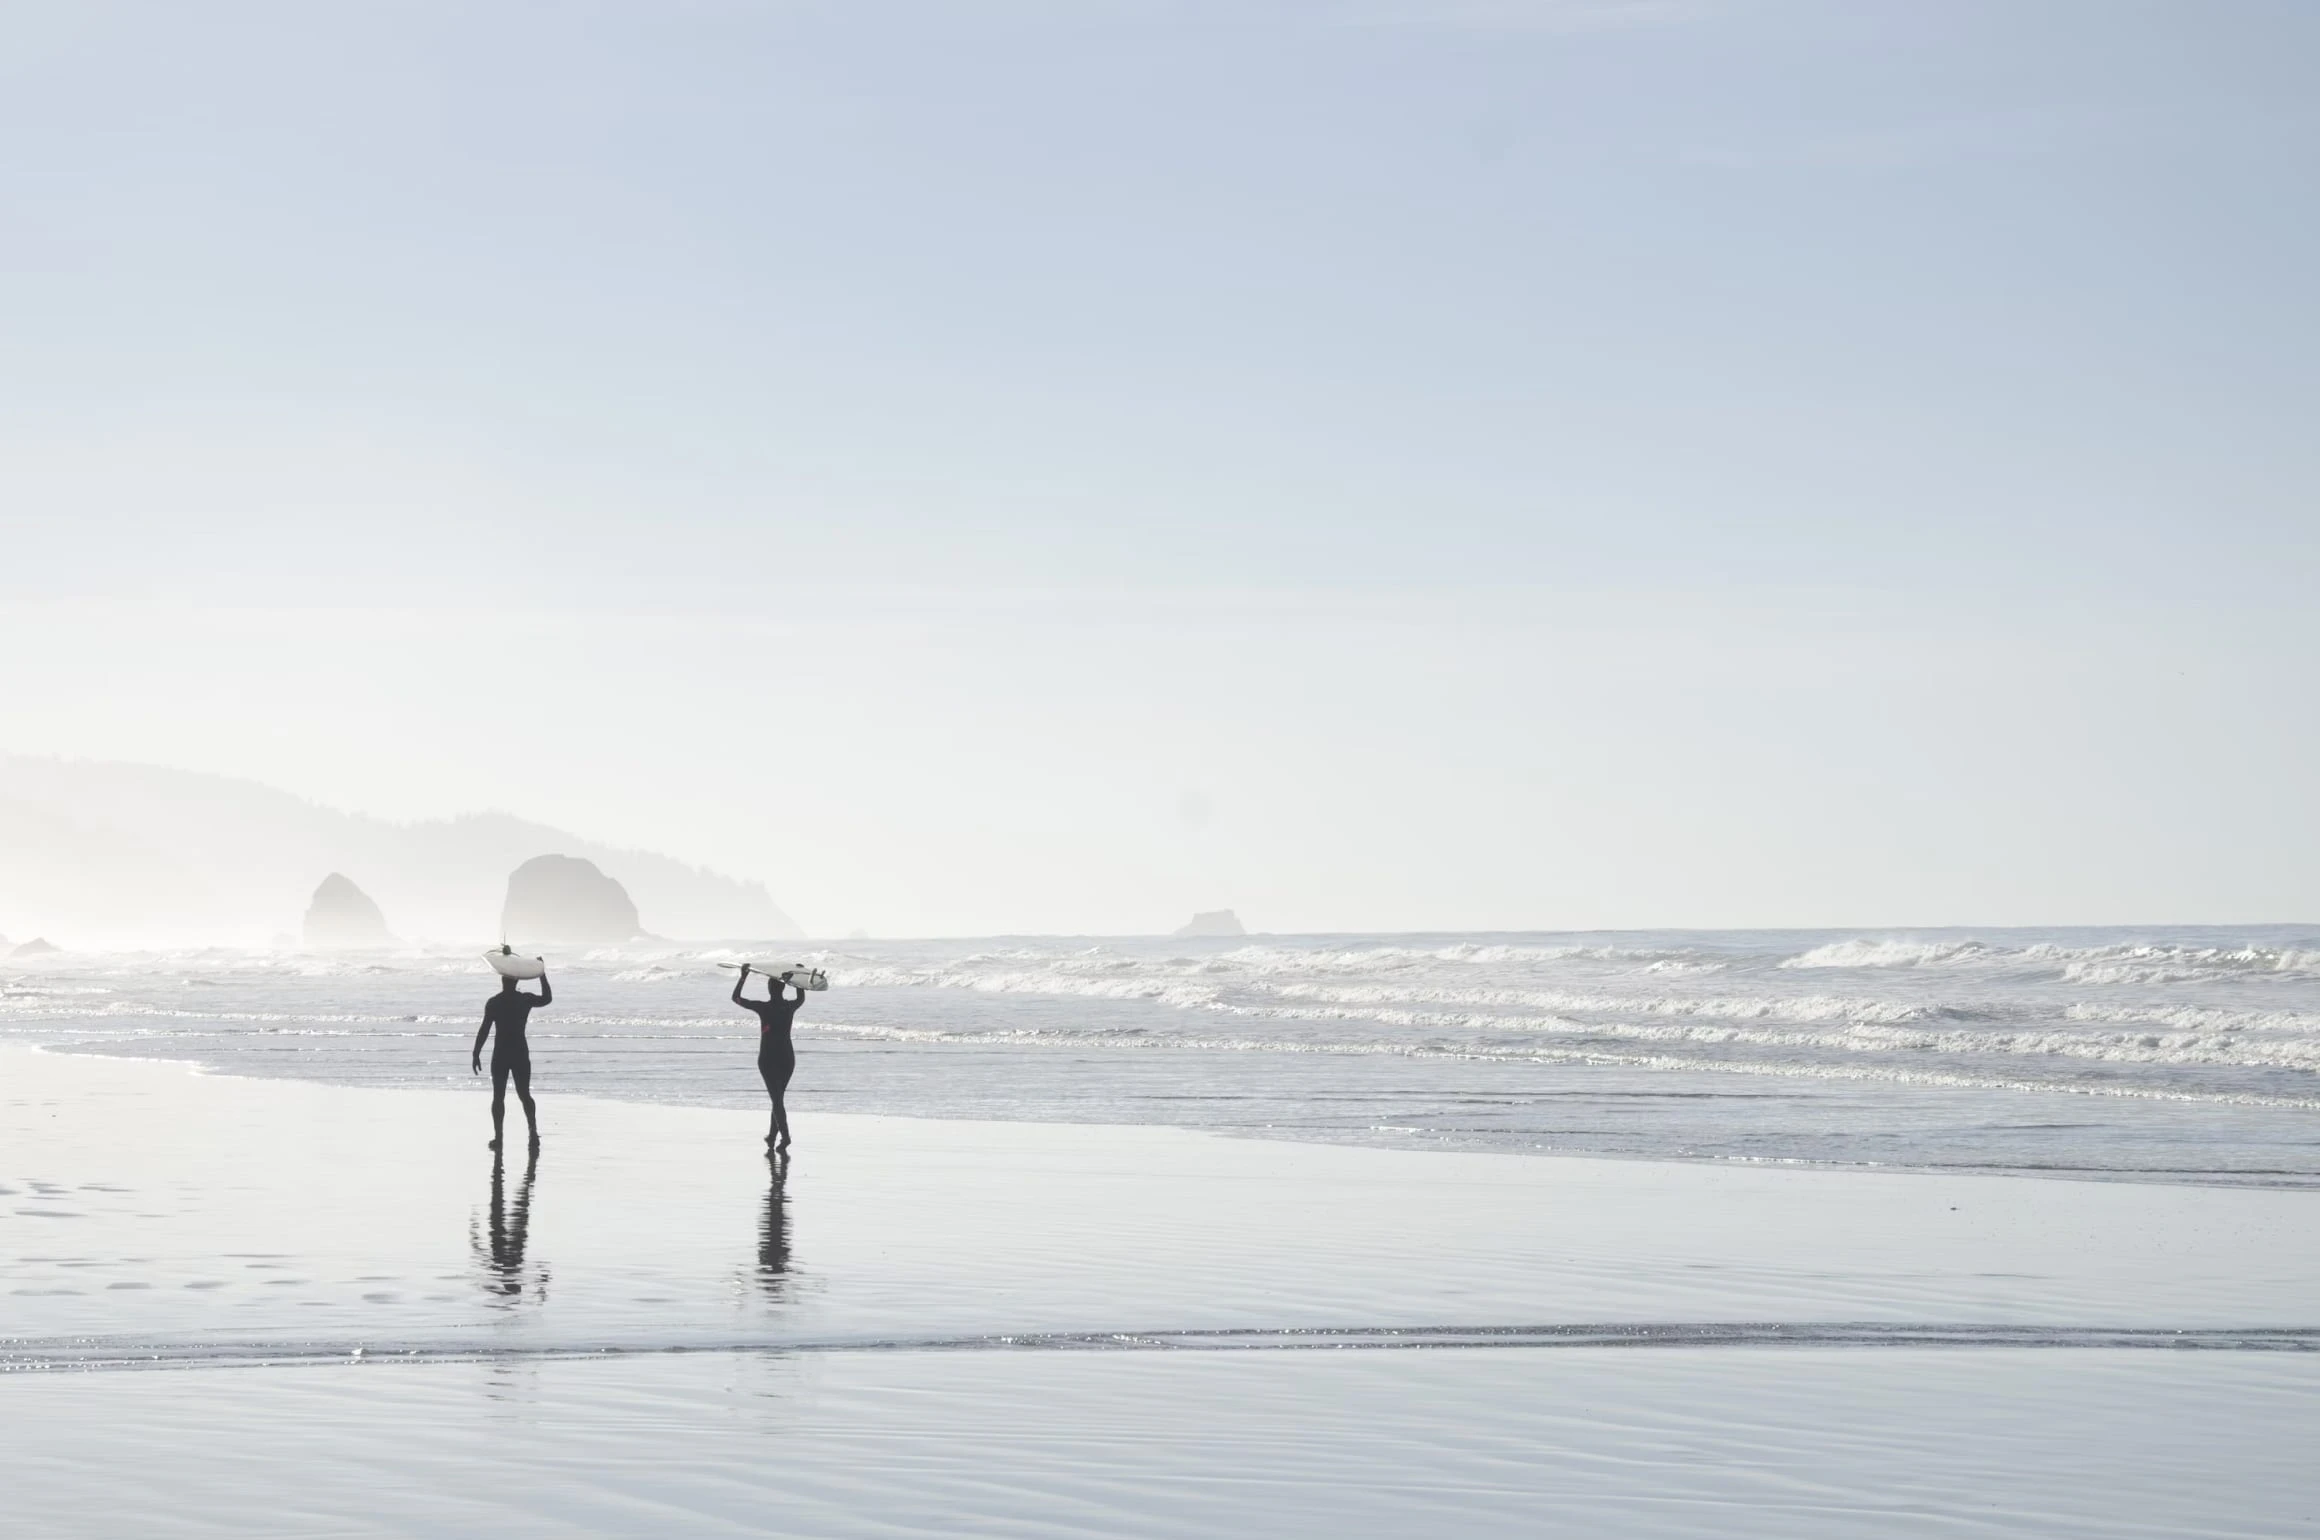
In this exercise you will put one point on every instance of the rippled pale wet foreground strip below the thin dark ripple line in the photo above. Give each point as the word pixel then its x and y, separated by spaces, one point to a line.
pixel 1808 1444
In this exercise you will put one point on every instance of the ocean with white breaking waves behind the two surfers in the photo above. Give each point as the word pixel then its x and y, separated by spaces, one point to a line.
pixel 2156 1054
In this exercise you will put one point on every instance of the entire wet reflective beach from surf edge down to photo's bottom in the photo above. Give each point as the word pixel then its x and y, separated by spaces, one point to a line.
pixel 268 1307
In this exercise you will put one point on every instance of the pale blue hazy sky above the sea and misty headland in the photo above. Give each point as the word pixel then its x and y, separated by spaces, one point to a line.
pixel 1057 467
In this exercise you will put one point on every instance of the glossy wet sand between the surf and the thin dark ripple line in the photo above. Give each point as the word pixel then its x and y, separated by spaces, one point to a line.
pixel 159 1216
